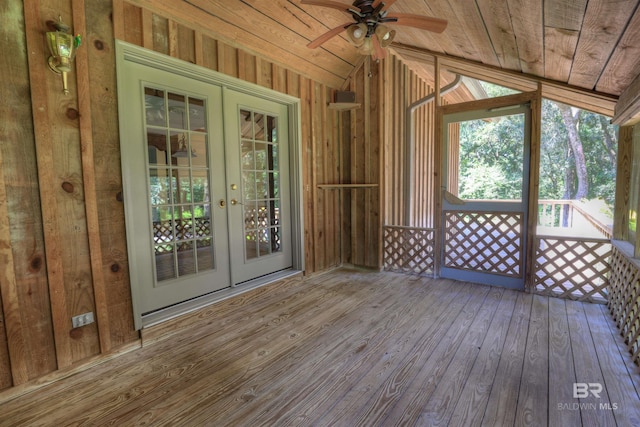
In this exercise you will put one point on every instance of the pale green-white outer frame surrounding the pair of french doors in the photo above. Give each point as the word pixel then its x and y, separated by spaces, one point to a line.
pixel 128 52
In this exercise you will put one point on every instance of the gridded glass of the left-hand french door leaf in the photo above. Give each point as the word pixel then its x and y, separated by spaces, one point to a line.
pixel 179 180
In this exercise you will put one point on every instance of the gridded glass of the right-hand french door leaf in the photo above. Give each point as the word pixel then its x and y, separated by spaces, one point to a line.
pixel 260 183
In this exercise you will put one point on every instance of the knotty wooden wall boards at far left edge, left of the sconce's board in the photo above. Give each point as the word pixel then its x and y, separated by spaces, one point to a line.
pixel 23 281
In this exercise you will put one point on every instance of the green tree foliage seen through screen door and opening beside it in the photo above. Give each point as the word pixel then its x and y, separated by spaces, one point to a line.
pixel 491 155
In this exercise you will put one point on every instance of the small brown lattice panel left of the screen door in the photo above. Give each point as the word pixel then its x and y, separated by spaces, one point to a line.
pixel 409 250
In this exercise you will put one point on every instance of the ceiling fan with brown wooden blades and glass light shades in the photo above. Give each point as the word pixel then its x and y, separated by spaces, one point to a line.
pixel 369 31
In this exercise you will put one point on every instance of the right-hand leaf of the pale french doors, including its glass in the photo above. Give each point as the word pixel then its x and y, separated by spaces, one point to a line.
pixel 260 204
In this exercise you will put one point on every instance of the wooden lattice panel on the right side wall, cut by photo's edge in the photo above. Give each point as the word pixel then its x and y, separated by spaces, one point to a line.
pixel 624 301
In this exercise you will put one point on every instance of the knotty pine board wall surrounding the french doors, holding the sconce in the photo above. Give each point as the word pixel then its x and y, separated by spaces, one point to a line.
pixel 62 232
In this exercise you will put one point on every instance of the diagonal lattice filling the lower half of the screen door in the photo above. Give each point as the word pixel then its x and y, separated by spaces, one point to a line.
pixel 484 241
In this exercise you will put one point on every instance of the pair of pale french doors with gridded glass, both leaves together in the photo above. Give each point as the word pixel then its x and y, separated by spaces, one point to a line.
pixel 206 174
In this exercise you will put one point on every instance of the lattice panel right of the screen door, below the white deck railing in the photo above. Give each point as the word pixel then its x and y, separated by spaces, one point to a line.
pixel 573 268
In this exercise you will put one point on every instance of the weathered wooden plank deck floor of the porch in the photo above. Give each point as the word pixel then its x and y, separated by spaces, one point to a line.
pixel 353 348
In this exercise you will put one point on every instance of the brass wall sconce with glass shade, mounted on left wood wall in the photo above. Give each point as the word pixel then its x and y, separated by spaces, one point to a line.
pixel 62 45
